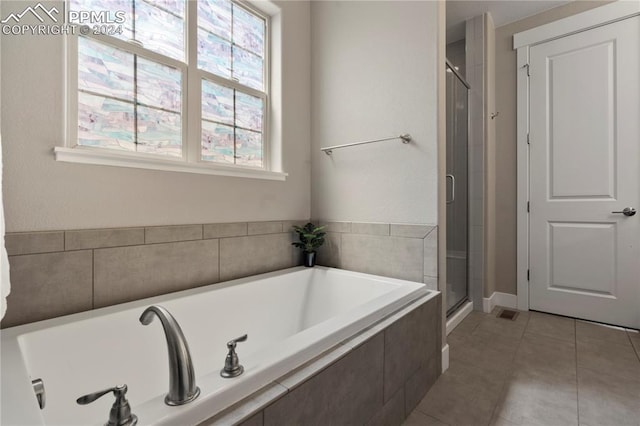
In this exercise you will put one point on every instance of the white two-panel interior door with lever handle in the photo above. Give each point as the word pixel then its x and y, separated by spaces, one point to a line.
pixel 584 165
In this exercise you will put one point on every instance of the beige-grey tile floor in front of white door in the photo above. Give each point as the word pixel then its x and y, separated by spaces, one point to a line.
pixel 537 370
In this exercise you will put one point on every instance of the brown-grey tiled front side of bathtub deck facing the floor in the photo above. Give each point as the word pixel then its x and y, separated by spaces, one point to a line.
pixel 375 378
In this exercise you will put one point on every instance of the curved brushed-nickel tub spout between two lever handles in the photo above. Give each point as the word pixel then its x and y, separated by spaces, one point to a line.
pixel 182 383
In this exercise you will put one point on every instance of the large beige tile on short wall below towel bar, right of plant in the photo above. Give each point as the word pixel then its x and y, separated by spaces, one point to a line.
pixel 389 256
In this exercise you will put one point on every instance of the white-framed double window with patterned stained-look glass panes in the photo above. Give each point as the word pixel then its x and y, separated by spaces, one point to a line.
pixel 141 89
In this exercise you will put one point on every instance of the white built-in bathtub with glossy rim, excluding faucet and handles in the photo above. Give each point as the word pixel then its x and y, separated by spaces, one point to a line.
pixel 291 316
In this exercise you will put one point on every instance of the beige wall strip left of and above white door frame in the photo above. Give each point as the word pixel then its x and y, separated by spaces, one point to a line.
pixel 505 150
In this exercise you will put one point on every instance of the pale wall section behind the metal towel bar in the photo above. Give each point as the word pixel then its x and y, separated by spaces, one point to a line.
pixel 374 67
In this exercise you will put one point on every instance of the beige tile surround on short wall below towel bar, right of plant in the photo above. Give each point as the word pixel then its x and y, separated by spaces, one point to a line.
pixel 397 250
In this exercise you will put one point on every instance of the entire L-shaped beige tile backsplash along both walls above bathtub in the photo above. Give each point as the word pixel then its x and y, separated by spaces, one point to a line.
pixel 57 273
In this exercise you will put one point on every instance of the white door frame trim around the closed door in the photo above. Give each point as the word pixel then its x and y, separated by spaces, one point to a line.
pixel 522 42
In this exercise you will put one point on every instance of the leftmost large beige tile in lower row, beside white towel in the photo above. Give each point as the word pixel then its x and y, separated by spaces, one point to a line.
pixel 48 285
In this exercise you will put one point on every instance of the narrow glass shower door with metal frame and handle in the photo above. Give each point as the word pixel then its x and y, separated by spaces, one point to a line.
pixel 457 190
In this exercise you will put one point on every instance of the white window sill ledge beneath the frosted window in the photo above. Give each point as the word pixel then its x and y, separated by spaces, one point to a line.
pixel 114 158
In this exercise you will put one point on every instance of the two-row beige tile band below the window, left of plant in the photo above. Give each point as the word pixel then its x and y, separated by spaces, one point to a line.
pixel 57 273
